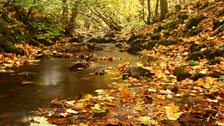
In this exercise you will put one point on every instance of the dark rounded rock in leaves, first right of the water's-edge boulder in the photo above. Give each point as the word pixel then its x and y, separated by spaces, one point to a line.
pixel 181 74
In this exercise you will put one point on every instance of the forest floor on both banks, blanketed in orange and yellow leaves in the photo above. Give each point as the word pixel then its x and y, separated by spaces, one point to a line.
pixel 185 85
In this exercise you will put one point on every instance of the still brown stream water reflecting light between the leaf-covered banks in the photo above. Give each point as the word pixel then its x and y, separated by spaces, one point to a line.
pixel 50 78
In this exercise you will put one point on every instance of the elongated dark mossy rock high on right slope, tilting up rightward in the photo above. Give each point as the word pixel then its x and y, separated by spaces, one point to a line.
pixel 194 21
